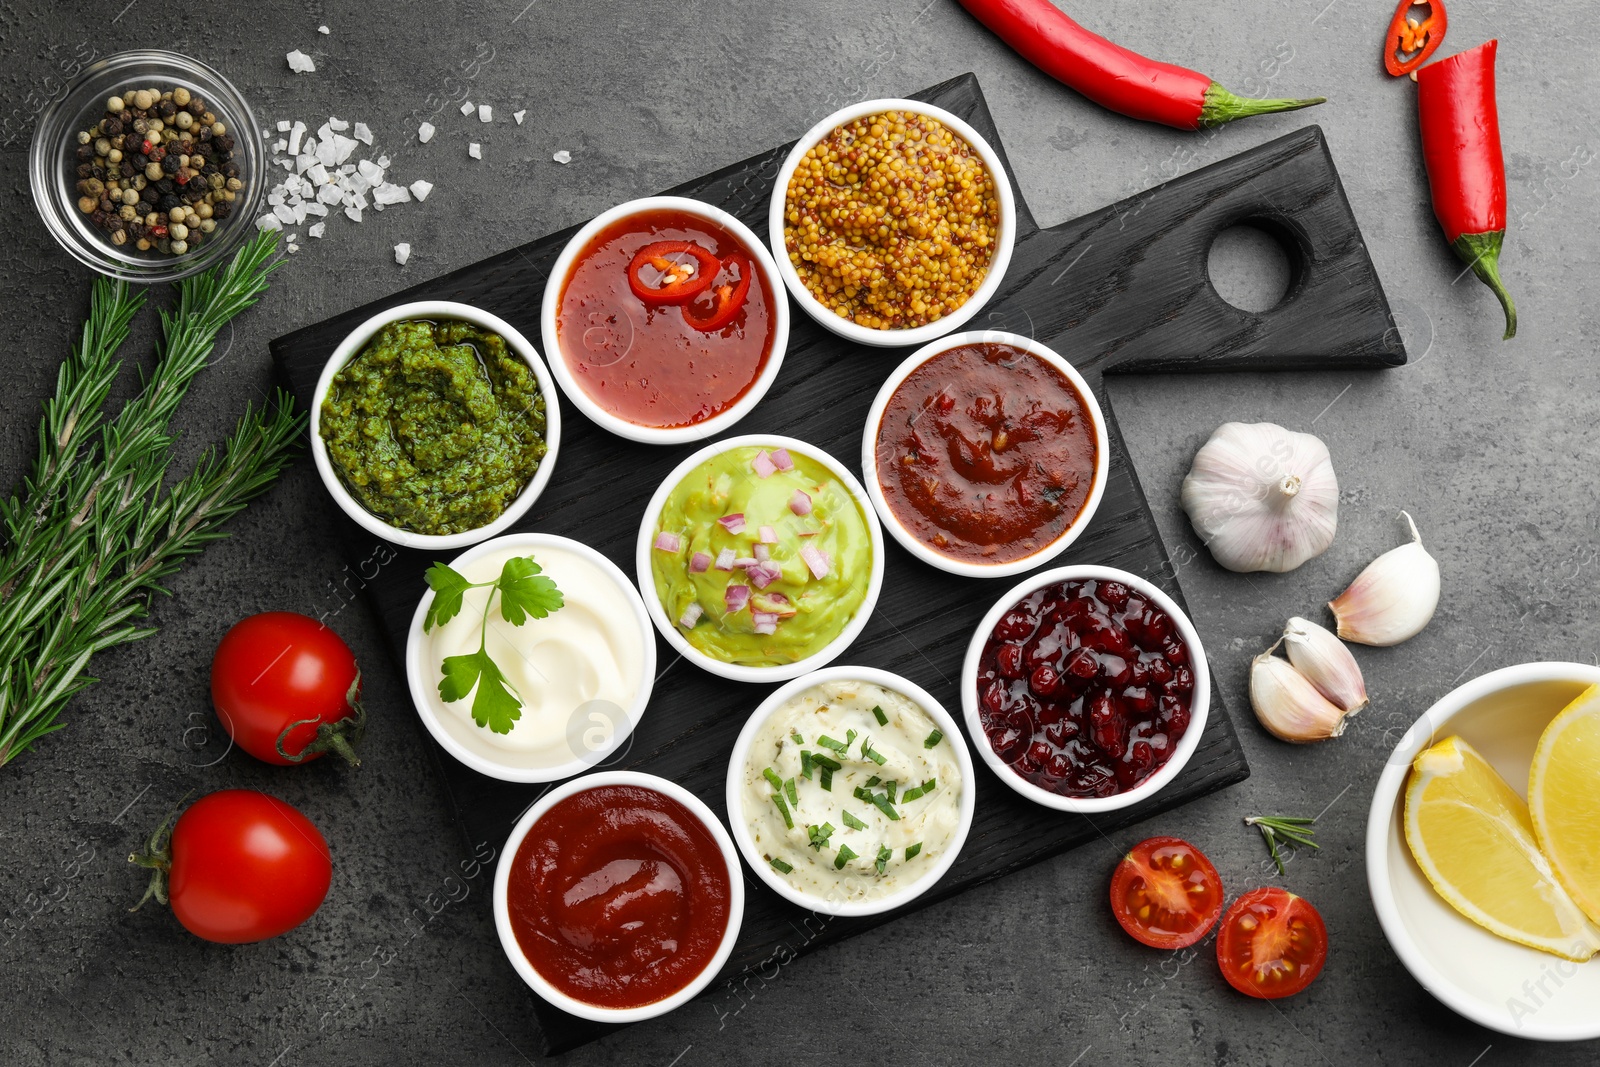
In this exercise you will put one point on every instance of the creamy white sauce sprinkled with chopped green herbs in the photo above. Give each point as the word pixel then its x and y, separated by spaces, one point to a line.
pixel 834 709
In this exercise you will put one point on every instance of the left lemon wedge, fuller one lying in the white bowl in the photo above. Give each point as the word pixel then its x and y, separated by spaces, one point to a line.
pixel 1474 841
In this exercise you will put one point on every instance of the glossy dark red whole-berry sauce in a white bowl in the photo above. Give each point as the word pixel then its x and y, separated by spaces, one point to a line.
pixel 1086 689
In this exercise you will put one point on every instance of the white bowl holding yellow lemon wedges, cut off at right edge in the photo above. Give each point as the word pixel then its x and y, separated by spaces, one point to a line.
pixel 1487 818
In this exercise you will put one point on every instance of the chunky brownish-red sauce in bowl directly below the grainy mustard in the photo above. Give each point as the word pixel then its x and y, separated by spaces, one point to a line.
pixel 986 454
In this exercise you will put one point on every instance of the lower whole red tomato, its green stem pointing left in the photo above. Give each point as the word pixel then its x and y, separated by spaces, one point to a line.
pixel 241 868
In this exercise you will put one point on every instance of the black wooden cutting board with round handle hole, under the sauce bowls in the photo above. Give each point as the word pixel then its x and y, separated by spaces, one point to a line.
pixel 1122 290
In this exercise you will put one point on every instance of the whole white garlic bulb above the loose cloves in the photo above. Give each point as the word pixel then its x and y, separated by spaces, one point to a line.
pixel 1263 498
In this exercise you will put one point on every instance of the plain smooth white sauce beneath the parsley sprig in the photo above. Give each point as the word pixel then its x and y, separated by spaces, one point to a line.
pixel 578 671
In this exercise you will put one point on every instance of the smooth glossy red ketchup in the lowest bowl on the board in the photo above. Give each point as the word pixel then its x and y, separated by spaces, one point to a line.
pixel 620 897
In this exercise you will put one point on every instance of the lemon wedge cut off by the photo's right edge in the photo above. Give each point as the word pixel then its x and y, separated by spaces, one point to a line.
pixel 1564 799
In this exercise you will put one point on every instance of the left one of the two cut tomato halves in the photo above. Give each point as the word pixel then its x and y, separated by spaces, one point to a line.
pixel 1166 893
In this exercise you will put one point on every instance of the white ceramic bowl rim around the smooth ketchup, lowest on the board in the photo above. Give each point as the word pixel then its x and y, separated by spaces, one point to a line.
pixel 580 1009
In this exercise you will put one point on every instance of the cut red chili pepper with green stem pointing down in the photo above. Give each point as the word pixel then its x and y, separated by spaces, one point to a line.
pixel 1466 174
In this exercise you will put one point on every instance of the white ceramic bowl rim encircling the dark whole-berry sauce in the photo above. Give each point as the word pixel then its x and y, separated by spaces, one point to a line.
pixel 1199 708
